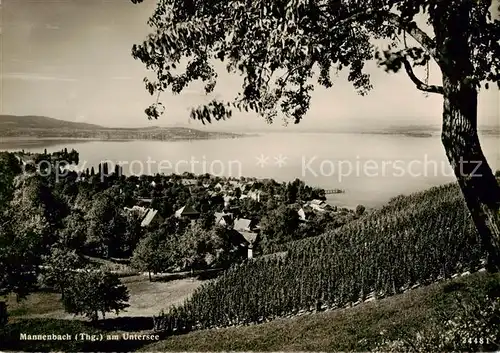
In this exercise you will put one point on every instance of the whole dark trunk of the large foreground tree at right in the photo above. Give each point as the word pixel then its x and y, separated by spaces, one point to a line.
pixel 453 27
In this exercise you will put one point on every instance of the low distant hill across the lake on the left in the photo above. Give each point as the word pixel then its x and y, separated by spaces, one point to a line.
pixel 44 127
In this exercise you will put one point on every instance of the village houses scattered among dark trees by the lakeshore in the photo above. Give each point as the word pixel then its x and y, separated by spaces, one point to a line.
pixel 250 216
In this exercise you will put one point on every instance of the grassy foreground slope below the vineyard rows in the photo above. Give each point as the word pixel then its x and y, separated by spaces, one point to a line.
pixel 362 328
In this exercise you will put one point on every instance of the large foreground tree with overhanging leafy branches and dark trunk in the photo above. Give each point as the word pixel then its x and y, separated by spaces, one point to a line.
pixel 296 40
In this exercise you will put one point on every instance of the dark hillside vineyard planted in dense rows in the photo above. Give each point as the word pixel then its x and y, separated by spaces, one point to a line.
pixel 414 240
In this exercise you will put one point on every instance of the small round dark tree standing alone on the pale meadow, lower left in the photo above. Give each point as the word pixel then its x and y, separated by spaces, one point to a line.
pixel 93 292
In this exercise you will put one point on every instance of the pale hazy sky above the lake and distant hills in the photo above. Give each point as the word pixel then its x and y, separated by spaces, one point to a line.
pixel 71 60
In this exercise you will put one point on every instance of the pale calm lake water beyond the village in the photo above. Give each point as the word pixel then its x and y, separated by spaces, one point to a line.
pixel 371 168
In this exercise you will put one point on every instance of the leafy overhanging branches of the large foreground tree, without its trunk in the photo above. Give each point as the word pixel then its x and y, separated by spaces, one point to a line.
pixel 279 47
